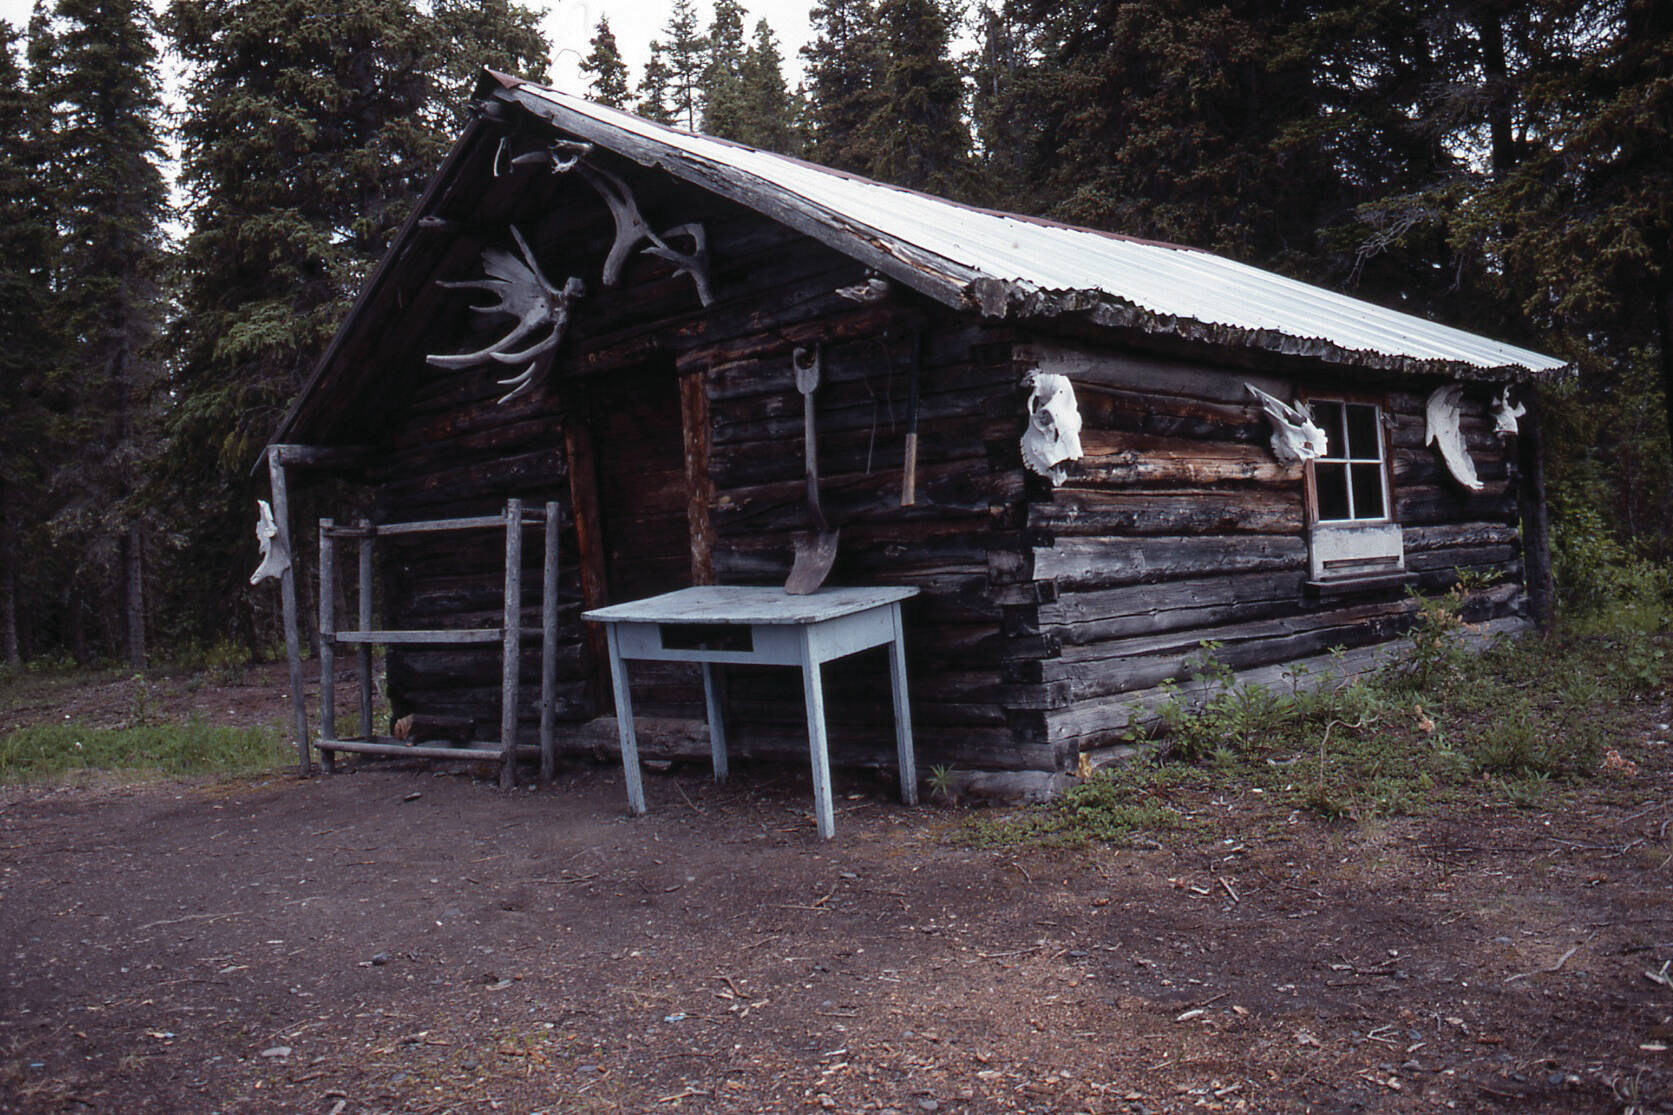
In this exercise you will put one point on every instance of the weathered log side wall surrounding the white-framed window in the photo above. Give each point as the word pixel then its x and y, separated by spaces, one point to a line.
pixel 1180 528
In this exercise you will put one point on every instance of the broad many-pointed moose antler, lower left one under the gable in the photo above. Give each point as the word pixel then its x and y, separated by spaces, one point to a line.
pixel 521 292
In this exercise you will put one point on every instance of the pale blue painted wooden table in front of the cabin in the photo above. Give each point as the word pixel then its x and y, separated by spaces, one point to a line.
pixel 760 627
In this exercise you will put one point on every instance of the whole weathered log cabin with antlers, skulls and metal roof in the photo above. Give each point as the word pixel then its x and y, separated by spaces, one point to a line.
pixel 1092 455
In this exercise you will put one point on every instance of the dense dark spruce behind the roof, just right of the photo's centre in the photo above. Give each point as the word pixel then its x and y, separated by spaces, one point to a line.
pixel 916 135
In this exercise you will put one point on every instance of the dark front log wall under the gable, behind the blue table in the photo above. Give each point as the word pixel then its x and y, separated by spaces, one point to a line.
pixel 451 450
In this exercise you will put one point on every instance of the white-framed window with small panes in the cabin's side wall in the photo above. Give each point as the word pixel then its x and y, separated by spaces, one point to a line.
pixel 1353 535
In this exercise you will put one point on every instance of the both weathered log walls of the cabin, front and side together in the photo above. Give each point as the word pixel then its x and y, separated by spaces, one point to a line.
pixel 672 436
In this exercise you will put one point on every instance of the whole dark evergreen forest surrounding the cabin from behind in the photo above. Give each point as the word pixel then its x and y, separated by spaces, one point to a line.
pixel 178 257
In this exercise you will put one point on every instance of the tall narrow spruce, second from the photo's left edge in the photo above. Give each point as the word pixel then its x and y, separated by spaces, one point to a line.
pixel 110 202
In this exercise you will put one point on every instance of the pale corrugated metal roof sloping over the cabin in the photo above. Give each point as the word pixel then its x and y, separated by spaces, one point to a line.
pixel 1013 265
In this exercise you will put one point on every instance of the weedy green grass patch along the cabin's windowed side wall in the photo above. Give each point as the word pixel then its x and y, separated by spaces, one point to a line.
pixel 1520 726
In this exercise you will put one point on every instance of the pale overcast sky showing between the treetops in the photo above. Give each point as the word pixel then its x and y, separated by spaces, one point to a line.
pixel 570 28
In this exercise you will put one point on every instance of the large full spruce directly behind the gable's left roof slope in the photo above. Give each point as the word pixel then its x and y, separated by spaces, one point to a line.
pixel 310 135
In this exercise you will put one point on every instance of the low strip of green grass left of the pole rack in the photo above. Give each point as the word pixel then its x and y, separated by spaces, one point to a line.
pixel 195 748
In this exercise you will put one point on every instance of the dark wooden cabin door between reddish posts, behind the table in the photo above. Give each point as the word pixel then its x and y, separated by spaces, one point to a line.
pixel 642 525
